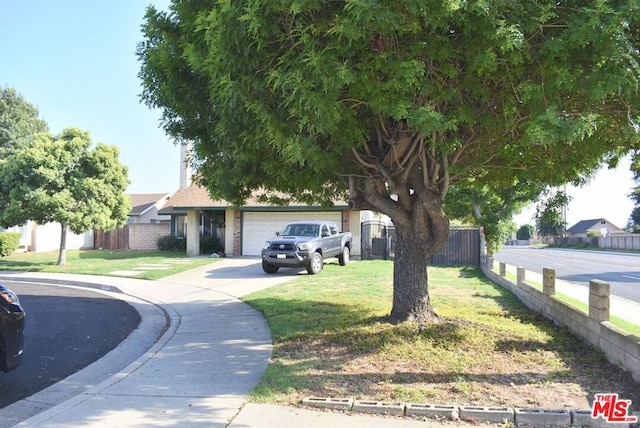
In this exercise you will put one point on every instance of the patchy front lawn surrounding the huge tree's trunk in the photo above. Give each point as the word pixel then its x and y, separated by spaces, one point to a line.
pixel 331 339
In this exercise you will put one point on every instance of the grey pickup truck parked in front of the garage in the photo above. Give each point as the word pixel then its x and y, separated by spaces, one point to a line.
pixel 306 243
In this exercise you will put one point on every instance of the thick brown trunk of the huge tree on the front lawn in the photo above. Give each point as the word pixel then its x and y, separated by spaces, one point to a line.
pixel 411 300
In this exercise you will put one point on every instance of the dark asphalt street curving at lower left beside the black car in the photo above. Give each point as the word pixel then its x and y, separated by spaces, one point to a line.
pixel 67 329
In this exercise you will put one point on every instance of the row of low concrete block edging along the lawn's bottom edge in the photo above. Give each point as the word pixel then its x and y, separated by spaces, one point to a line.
pixel 487 414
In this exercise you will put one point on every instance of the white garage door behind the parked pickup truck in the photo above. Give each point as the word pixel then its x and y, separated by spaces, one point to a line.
pixel 257 227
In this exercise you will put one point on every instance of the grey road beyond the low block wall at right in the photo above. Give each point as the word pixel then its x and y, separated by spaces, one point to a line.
pixel 622 271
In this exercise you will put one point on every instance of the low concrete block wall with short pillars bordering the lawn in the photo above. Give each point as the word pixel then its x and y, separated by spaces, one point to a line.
pixel 619 346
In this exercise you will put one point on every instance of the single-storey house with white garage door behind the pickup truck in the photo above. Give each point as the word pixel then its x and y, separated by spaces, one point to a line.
pixel 243 230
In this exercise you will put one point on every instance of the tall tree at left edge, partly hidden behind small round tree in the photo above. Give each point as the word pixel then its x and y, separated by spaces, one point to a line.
pixel 19 121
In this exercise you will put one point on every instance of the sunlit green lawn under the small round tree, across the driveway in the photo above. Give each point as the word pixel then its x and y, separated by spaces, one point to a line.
pixel 103 262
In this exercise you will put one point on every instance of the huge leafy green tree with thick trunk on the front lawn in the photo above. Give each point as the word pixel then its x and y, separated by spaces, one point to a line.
pixel 391 103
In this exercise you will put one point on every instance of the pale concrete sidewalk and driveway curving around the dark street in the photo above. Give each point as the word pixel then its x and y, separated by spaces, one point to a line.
pixel 195 356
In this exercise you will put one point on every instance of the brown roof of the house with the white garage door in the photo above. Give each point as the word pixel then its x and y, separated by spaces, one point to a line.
pixel 198 197
